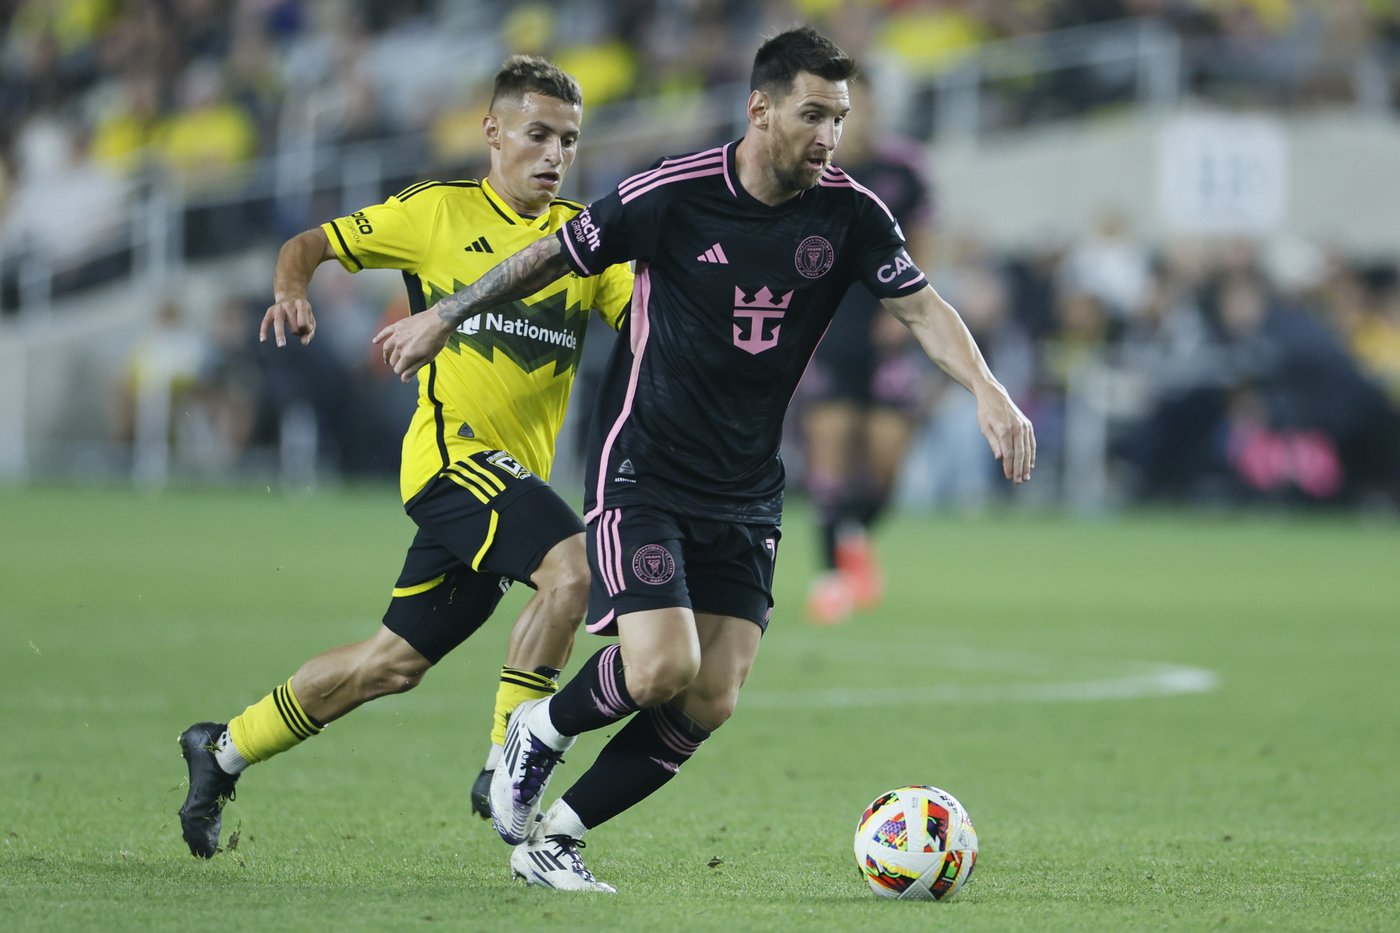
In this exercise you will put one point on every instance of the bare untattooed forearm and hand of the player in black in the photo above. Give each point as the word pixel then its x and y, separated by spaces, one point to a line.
pixel 947 341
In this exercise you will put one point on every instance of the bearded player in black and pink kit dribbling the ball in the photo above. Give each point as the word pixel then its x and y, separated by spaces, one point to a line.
pixel 743 256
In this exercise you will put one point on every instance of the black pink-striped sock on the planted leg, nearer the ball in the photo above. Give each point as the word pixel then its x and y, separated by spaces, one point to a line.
pixel 645 756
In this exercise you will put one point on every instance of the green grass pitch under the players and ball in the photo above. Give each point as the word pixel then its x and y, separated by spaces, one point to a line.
pixel 1157 722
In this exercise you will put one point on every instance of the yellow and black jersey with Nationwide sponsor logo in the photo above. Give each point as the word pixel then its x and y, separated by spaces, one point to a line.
pixel 505 378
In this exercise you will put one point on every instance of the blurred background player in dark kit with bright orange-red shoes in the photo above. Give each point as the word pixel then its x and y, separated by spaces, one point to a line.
pixel 867 386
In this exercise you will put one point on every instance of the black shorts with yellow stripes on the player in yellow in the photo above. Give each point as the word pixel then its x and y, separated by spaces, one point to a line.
pixel 481 526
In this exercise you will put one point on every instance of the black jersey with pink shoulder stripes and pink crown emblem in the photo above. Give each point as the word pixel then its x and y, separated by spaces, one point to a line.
pixel 730 302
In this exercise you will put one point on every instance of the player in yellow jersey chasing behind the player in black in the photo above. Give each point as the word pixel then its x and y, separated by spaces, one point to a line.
pixel 478 453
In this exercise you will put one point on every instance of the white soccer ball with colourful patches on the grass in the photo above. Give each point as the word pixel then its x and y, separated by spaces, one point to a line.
pixel 916 844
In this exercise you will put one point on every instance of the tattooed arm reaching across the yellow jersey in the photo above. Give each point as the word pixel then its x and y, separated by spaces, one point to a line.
pixel 412 343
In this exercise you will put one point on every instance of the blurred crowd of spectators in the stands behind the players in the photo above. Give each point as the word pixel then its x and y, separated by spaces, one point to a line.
pixel 1259 373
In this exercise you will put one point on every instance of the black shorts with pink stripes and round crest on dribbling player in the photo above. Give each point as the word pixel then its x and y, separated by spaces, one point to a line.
pixel 645 558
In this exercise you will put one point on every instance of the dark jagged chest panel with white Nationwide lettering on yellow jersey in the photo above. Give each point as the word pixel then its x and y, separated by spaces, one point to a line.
pixel 531 336
